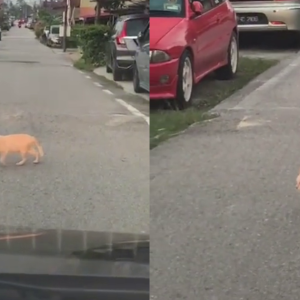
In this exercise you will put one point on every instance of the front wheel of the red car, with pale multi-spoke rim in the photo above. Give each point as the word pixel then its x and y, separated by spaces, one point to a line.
pixel 185 81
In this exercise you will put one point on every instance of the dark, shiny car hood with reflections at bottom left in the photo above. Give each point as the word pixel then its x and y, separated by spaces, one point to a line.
pixel 73 252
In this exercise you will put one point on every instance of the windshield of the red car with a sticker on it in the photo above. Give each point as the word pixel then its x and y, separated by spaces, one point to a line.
pixel 171 8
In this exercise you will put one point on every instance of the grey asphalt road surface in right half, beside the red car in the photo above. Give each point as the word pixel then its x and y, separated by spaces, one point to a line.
pixel 225 214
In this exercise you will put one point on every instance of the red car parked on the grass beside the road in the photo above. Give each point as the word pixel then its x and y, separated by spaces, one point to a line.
pixel 188 40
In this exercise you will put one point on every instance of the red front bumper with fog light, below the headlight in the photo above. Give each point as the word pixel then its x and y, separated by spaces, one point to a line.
pixel 163 80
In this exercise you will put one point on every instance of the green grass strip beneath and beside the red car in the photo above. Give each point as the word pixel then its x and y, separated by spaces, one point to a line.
pixel 207 94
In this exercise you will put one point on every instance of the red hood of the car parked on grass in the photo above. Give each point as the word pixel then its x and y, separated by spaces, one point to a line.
pixel 160 27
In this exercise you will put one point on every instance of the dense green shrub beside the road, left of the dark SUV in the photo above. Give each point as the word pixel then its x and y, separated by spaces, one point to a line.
pixel 92 40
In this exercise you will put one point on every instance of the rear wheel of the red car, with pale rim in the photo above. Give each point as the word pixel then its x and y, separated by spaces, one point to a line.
pixel 229 71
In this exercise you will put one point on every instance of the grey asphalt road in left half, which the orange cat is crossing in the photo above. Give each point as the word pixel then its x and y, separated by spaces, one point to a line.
pixel 95 173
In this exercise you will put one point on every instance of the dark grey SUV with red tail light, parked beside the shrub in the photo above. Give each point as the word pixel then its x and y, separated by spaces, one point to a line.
pixel 119 59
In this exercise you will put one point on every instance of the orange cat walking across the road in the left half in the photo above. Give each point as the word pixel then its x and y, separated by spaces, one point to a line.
pixel 20 143
